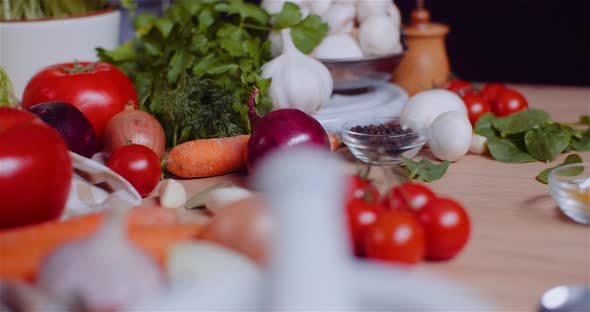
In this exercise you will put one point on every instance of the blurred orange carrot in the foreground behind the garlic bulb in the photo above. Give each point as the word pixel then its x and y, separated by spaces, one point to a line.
pixel 23 249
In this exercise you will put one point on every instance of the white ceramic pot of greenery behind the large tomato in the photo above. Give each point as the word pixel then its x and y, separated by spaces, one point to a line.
pixel 28 46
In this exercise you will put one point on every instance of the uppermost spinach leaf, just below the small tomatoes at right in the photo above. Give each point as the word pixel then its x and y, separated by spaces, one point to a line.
pixel 521 122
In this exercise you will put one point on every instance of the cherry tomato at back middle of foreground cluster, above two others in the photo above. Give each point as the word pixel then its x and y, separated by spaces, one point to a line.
pixel 412 196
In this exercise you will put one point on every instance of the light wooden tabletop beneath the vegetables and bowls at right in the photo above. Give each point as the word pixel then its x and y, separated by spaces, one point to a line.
pixel 521 244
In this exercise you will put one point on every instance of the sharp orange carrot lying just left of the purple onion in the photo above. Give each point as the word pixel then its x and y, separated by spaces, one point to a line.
pixel 208 157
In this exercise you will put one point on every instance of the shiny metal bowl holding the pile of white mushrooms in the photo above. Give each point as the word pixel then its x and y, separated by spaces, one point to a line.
pixel 362 73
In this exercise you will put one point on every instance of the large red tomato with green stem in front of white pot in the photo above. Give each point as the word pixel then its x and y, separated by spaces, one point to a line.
pixel 100 90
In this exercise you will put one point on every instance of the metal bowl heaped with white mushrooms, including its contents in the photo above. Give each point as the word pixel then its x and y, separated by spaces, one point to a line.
pixel 364 45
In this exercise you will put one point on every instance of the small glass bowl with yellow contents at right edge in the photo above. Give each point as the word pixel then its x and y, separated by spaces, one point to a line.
pixel 570 188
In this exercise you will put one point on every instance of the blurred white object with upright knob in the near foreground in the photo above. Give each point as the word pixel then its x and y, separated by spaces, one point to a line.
pixel 312 267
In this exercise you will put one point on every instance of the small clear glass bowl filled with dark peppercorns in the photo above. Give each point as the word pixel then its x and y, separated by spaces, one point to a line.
pixel 382 149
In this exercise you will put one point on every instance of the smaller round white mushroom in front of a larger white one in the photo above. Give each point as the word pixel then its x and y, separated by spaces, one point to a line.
pixel 449 136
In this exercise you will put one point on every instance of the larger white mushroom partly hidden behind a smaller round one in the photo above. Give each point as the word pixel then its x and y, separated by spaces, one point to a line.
pixel 422 108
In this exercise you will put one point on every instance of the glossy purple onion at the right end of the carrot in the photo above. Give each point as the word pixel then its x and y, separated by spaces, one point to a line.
pixel 282 129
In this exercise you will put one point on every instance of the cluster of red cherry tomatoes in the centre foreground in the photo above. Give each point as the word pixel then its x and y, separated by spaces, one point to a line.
pixel 409 224
